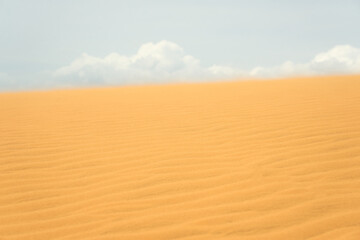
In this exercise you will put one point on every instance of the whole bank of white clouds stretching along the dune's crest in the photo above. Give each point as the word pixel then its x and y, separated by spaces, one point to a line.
pixel 167 61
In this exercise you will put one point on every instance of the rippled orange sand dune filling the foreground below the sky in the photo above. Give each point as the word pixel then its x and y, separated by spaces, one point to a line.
pixel 275 159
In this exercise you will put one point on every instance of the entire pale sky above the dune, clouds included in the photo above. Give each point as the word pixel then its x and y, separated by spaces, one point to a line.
pixel 60 44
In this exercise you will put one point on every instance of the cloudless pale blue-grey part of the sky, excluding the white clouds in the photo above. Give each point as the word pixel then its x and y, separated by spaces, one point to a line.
pixel 40 36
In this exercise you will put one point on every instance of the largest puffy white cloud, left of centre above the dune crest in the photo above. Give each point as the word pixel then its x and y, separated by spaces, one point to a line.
pixel 162 61
